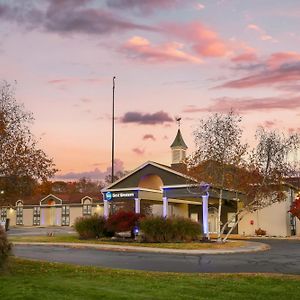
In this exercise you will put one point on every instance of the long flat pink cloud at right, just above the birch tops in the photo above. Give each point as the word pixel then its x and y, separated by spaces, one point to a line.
pixel 247 104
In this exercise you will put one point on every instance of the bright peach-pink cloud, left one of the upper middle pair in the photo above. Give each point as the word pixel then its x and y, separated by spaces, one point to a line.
pixel 140 48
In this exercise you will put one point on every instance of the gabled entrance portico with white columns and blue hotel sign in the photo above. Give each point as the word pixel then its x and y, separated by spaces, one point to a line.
pixel 167 193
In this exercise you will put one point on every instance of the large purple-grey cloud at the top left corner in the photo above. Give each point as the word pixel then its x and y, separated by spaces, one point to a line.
pixel 67 17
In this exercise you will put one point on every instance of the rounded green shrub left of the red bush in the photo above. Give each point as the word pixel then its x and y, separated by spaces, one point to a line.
pixel 90 227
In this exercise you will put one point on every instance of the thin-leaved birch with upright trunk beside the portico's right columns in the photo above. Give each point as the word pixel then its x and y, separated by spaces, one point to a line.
pixel 219 148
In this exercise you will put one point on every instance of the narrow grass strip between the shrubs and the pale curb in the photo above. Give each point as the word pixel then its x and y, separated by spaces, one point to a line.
pixel 75 239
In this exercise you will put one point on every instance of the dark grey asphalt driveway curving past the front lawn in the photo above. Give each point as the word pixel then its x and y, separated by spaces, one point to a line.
pixel 283 257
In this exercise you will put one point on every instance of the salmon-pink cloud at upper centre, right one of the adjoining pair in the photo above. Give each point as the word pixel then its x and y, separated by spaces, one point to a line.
pixel 204 41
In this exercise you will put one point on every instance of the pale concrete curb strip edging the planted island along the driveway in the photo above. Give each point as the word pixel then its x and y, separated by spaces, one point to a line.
pixel 248 248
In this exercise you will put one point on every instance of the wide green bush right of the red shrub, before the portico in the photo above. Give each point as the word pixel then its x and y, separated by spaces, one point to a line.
pixel 177 229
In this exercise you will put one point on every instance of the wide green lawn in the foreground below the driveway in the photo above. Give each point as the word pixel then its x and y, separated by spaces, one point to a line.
pixel 26 279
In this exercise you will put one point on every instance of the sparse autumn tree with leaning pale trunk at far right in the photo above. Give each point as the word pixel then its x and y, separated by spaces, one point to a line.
pixel 267 170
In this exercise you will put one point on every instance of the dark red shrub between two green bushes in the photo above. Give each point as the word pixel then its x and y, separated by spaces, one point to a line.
pixel 122 221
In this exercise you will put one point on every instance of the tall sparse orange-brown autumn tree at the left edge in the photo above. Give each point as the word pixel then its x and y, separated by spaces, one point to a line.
pixel 21 160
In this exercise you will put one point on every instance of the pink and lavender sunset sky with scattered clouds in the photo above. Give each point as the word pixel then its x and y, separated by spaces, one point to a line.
pixel 171 58
